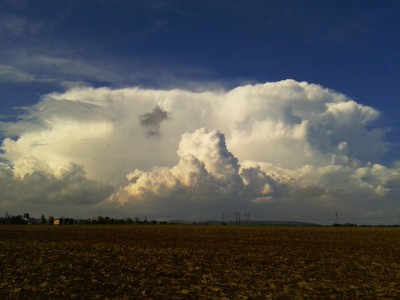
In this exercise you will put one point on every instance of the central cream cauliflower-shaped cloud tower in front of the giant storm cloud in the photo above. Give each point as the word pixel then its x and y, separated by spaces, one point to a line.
pixel 206 177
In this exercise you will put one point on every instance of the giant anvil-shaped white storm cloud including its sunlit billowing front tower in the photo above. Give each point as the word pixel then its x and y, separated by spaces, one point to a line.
pixel 294 148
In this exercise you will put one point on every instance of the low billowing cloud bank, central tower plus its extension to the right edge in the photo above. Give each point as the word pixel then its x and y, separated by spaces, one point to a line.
pixel 208 179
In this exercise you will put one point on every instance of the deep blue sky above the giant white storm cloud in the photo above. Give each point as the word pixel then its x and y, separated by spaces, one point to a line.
pixel 349 46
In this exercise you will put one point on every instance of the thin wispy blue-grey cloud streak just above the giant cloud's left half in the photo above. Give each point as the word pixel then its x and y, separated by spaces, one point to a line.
pixel 61 70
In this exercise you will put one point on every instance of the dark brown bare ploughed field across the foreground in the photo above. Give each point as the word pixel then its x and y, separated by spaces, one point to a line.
pixel 198 262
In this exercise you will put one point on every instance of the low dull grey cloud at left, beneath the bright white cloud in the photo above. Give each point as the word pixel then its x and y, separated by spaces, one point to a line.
pixel 71 188
